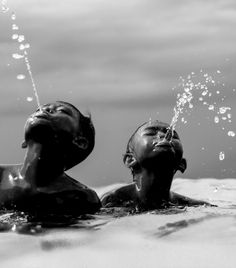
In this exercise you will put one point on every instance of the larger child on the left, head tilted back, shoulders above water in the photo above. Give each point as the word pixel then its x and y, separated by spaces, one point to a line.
pixel 57 137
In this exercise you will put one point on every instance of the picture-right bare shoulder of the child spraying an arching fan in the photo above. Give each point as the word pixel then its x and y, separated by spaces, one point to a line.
pixel 182 200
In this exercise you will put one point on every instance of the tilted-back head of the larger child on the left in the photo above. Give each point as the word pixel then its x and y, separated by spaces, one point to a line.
pixel 62 124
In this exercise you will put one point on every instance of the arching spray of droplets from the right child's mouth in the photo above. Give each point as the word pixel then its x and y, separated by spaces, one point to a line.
pixel 208 91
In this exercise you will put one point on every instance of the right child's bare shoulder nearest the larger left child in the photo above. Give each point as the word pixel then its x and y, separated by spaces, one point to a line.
pixel 122 196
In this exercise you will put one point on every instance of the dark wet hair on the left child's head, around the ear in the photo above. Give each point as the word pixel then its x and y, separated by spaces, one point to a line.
pixel 74 154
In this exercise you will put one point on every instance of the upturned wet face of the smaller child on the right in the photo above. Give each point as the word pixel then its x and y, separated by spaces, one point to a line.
pixel 148 143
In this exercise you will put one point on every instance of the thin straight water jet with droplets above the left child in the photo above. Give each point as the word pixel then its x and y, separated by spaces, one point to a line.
pixel 23 52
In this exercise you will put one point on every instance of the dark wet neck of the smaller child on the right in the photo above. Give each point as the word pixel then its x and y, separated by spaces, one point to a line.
pixel 155 186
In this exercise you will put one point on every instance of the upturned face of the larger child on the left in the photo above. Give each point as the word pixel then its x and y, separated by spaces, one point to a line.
pixel 53 118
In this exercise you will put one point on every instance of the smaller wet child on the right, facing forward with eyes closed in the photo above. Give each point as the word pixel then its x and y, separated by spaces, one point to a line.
pixel 153 160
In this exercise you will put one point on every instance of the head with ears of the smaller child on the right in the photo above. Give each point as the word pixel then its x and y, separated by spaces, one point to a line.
pixel 148 149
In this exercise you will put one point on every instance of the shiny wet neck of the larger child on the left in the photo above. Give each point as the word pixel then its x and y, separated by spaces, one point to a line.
pixel 41 165
